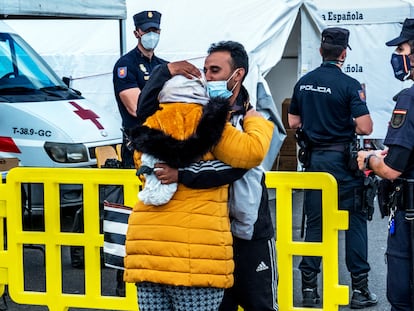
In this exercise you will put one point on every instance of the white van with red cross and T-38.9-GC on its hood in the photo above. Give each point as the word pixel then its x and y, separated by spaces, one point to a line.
pixel 43 122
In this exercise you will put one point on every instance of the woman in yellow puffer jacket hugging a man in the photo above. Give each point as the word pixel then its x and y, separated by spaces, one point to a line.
pixel 185 246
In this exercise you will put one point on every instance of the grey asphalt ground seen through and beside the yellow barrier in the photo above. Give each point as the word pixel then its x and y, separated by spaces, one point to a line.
pixel 73 278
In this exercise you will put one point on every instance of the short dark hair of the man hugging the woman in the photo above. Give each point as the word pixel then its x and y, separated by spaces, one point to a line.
pixel 238 54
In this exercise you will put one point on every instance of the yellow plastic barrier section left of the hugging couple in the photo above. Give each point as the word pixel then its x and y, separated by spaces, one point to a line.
pixel 53 239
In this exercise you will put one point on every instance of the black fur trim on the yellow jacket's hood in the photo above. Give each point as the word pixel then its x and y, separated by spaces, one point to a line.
pixel 180 153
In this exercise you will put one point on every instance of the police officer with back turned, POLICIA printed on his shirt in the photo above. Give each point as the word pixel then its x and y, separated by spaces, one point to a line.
pixel 329 107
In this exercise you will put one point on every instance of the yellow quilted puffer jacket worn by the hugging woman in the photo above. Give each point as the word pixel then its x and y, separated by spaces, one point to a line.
pixel 188 240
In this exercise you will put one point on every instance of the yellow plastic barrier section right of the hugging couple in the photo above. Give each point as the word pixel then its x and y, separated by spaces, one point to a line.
pixel 333 220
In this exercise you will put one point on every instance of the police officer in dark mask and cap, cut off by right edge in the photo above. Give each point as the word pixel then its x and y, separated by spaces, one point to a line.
pixel 396 165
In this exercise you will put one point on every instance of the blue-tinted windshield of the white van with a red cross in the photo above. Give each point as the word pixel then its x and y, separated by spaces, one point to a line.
pixel 23 72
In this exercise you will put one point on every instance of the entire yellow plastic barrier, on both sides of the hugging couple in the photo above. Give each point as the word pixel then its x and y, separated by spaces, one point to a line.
pixel 11 260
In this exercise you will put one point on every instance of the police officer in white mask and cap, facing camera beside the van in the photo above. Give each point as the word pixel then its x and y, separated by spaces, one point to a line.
pixel 132 71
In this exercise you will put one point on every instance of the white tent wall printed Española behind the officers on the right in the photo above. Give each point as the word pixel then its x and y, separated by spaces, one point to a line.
pixel 371 24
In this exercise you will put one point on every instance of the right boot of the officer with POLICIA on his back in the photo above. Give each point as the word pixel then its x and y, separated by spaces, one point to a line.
pixel 361 295
